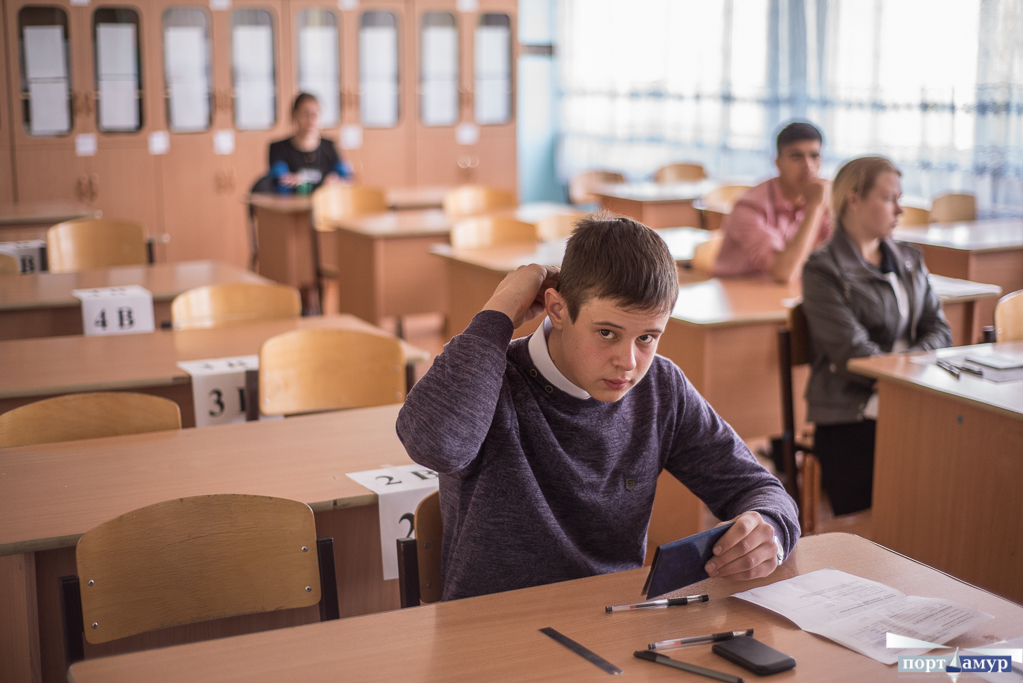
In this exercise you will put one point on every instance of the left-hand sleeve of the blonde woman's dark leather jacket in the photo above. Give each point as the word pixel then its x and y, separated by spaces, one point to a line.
pixel 834 329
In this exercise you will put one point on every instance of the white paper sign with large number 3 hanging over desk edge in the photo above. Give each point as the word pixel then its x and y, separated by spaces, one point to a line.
pixel 219 389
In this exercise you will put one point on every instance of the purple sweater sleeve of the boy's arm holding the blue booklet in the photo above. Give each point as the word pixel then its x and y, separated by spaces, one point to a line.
pixel 710 460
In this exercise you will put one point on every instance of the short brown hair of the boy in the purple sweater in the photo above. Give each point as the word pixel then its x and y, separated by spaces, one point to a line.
pixel 613 257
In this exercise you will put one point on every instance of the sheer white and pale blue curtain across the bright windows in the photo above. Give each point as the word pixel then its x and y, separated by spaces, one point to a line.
pixel 938 85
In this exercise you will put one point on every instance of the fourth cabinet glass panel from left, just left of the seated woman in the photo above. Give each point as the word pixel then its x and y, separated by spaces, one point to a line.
pixel 252 57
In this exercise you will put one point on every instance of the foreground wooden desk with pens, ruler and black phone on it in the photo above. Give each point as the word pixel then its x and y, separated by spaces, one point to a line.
pixel 496 638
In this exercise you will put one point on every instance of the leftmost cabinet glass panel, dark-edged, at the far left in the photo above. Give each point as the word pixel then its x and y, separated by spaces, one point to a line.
pixel 46 71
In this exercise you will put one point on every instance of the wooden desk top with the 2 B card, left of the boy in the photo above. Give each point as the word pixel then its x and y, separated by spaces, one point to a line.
pixel 53 494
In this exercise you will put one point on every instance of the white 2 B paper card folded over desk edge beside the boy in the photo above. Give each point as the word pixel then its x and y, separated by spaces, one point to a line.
pixel 399 491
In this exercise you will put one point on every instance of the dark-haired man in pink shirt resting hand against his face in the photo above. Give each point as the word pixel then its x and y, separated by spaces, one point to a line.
pixel 775 226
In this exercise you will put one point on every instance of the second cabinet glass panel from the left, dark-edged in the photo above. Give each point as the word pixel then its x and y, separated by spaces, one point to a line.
pixel 119 84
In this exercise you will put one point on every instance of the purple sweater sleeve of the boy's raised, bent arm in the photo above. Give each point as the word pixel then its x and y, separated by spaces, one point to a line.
pixel 448 415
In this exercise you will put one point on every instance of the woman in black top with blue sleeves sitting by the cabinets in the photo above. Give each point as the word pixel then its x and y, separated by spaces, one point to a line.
pixel 305 161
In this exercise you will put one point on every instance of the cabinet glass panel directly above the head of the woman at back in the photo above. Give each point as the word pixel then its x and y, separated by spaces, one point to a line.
pixel 320 64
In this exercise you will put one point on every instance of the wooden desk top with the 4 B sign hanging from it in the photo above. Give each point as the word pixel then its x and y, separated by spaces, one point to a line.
pixel 165 281
